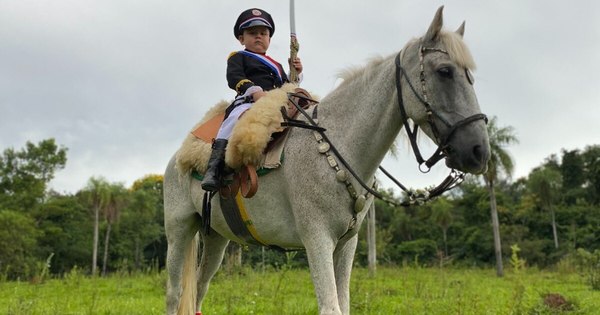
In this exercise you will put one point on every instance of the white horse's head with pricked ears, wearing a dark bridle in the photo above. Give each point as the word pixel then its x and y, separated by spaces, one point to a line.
pixel 438 94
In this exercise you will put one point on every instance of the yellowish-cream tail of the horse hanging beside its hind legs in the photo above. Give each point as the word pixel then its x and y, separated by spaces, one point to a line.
pixel 187 301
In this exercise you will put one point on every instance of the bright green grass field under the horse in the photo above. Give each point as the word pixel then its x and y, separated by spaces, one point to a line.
pixel 393 291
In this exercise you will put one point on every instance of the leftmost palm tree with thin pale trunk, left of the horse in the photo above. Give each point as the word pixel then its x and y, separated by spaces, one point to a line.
pixel 96 194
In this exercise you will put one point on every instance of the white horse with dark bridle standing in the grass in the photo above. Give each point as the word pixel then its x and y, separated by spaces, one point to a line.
pixel 302 204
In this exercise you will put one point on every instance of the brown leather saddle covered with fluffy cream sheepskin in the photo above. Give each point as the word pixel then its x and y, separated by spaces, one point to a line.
pixel 245 154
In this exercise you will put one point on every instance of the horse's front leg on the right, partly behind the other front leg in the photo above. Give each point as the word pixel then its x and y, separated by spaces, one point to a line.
pixel 343 257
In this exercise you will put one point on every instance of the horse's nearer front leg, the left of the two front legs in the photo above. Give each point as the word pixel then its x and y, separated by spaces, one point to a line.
pixel 319 250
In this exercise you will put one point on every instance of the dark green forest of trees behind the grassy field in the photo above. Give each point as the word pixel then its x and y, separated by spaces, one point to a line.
pixel 106 227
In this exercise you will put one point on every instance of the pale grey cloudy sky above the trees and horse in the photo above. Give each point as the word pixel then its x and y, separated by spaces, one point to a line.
pixel 120 83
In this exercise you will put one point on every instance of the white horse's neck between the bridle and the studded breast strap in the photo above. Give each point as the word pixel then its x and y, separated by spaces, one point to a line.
pixel 362 116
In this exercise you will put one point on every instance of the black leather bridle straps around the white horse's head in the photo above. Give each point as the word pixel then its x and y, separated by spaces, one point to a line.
pixel 442 140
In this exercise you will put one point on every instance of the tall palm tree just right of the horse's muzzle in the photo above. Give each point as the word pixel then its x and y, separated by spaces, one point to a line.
pixel 501 163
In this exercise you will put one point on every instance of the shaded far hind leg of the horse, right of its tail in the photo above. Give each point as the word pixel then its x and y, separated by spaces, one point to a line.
pixel 212 255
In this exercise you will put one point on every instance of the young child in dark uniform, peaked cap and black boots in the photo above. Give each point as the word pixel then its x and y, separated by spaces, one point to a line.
pixel 250 72
